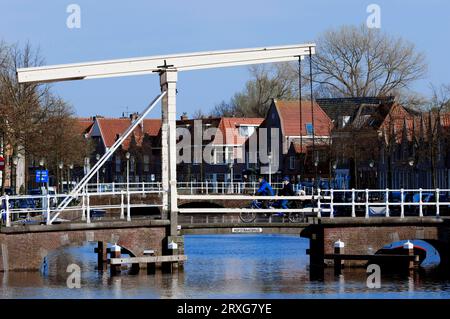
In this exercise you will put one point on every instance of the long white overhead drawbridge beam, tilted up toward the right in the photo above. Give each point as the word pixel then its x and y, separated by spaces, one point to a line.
pixel 182 62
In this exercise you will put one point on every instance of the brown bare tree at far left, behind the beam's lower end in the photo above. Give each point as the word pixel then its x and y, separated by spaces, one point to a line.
pixel 34 123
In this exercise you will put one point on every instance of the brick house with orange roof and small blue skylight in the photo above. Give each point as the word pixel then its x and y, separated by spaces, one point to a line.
pixel 303 139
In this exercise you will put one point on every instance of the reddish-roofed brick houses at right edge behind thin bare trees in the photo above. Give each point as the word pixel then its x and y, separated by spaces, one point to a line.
pixel 414 149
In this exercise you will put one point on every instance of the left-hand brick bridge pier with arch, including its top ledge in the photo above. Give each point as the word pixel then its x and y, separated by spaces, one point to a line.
pixel 23 248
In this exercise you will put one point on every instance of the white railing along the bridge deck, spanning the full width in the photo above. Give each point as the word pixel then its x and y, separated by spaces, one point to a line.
pixel 118 202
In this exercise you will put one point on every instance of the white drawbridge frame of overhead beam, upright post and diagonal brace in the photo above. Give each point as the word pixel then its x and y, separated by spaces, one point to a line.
pixel 167 66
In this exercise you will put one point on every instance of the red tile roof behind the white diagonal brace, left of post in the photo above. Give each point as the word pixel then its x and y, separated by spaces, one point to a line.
pixel 110 128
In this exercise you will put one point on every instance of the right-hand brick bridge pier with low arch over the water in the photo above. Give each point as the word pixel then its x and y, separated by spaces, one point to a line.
pixel 365 236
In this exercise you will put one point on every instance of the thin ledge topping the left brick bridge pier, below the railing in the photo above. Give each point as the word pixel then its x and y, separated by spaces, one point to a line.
pixel 84 226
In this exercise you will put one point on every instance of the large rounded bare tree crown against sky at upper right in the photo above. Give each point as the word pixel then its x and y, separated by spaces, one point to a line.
pixel 358 61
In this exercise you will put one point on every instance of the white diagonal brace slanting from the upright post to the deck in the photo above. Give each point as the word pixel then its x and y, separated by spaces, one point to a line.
pixel 79 187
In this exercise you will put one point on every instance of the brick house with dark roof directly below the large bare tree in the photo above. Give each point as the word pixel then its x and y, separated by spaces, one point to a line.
pixel 355 138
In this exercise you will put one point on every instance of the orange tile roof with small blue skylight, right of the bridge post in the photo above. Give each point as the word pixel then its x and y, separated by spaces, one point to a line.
pixel 290 118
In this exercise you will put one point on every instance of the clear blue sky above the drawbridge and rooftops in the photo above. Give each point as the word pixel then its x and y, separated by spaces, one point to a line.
pixel 120 29
